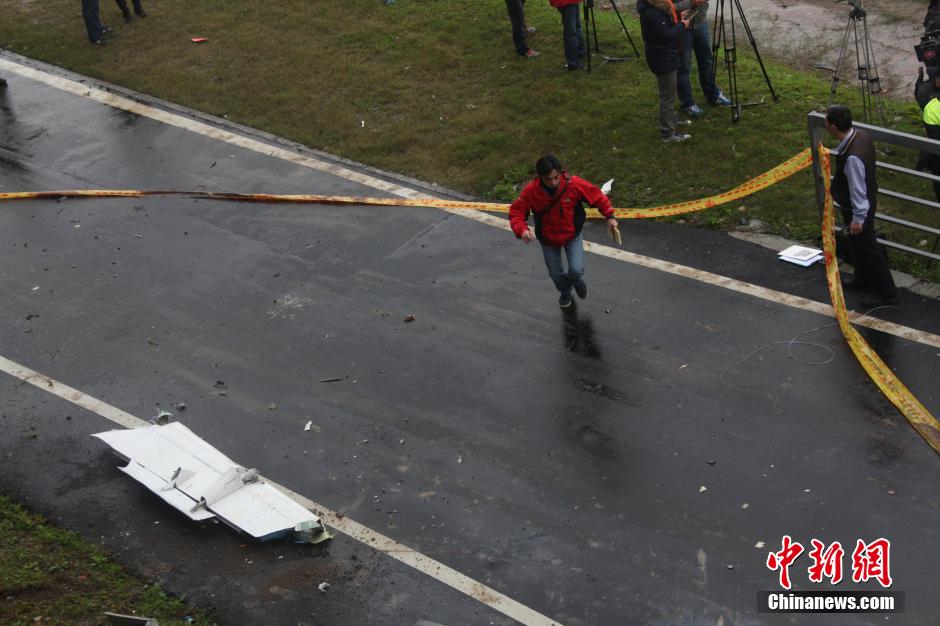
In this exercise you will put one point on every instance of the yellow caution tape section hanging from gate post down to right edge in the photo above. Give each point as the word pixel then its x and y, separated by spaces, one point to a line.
pixel 919 417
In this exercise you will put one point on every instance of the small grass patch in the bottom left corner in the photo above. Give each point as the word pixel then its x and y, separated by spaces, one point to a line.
pixel 52 576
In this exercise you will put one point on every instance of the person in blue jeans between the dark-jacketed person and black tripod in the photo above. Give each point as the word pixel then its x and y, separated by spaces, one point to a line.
pixel 697 39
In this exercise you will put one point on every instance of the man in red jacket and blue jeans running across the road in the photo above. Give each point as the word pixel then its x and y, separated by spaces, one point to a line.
pixel 556 199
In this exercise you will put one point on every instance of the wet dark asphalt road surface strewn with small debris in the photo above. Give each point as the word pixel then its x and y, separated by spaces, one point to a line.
pixel 558 458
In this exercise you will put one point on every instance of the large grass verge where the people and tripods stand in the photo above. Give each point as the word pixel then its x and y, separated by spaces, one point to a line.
pixel 433 89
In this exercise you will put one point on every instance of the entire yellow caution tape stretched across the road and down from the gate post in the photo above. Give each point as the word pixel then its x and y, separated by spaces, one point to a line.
pixel 913 410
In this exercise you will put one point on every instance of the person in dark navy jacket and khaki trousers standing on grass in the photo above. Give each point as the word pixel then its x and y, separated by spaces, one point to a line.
pixel 662 29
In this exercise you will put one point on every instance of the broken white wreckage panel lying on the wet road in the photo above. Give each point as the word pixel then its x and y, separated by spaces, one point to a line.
pixel 201 482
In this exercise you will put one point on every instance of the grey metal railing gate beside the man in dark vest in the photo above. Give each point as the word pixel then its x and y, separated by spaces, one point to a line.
pixel 817 133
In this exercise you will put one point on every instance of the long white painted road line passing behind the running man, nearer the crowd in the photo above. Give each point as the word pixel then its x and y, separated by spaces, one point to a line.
pixel 207 130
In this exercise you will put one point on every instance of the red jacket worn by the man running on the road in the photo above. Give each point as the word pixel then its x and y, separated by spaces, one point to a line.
pixel 558 220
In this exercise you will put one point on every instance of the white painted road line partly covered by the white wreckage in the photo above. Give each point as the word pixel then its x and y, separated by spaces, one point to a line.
pixel 386 545
